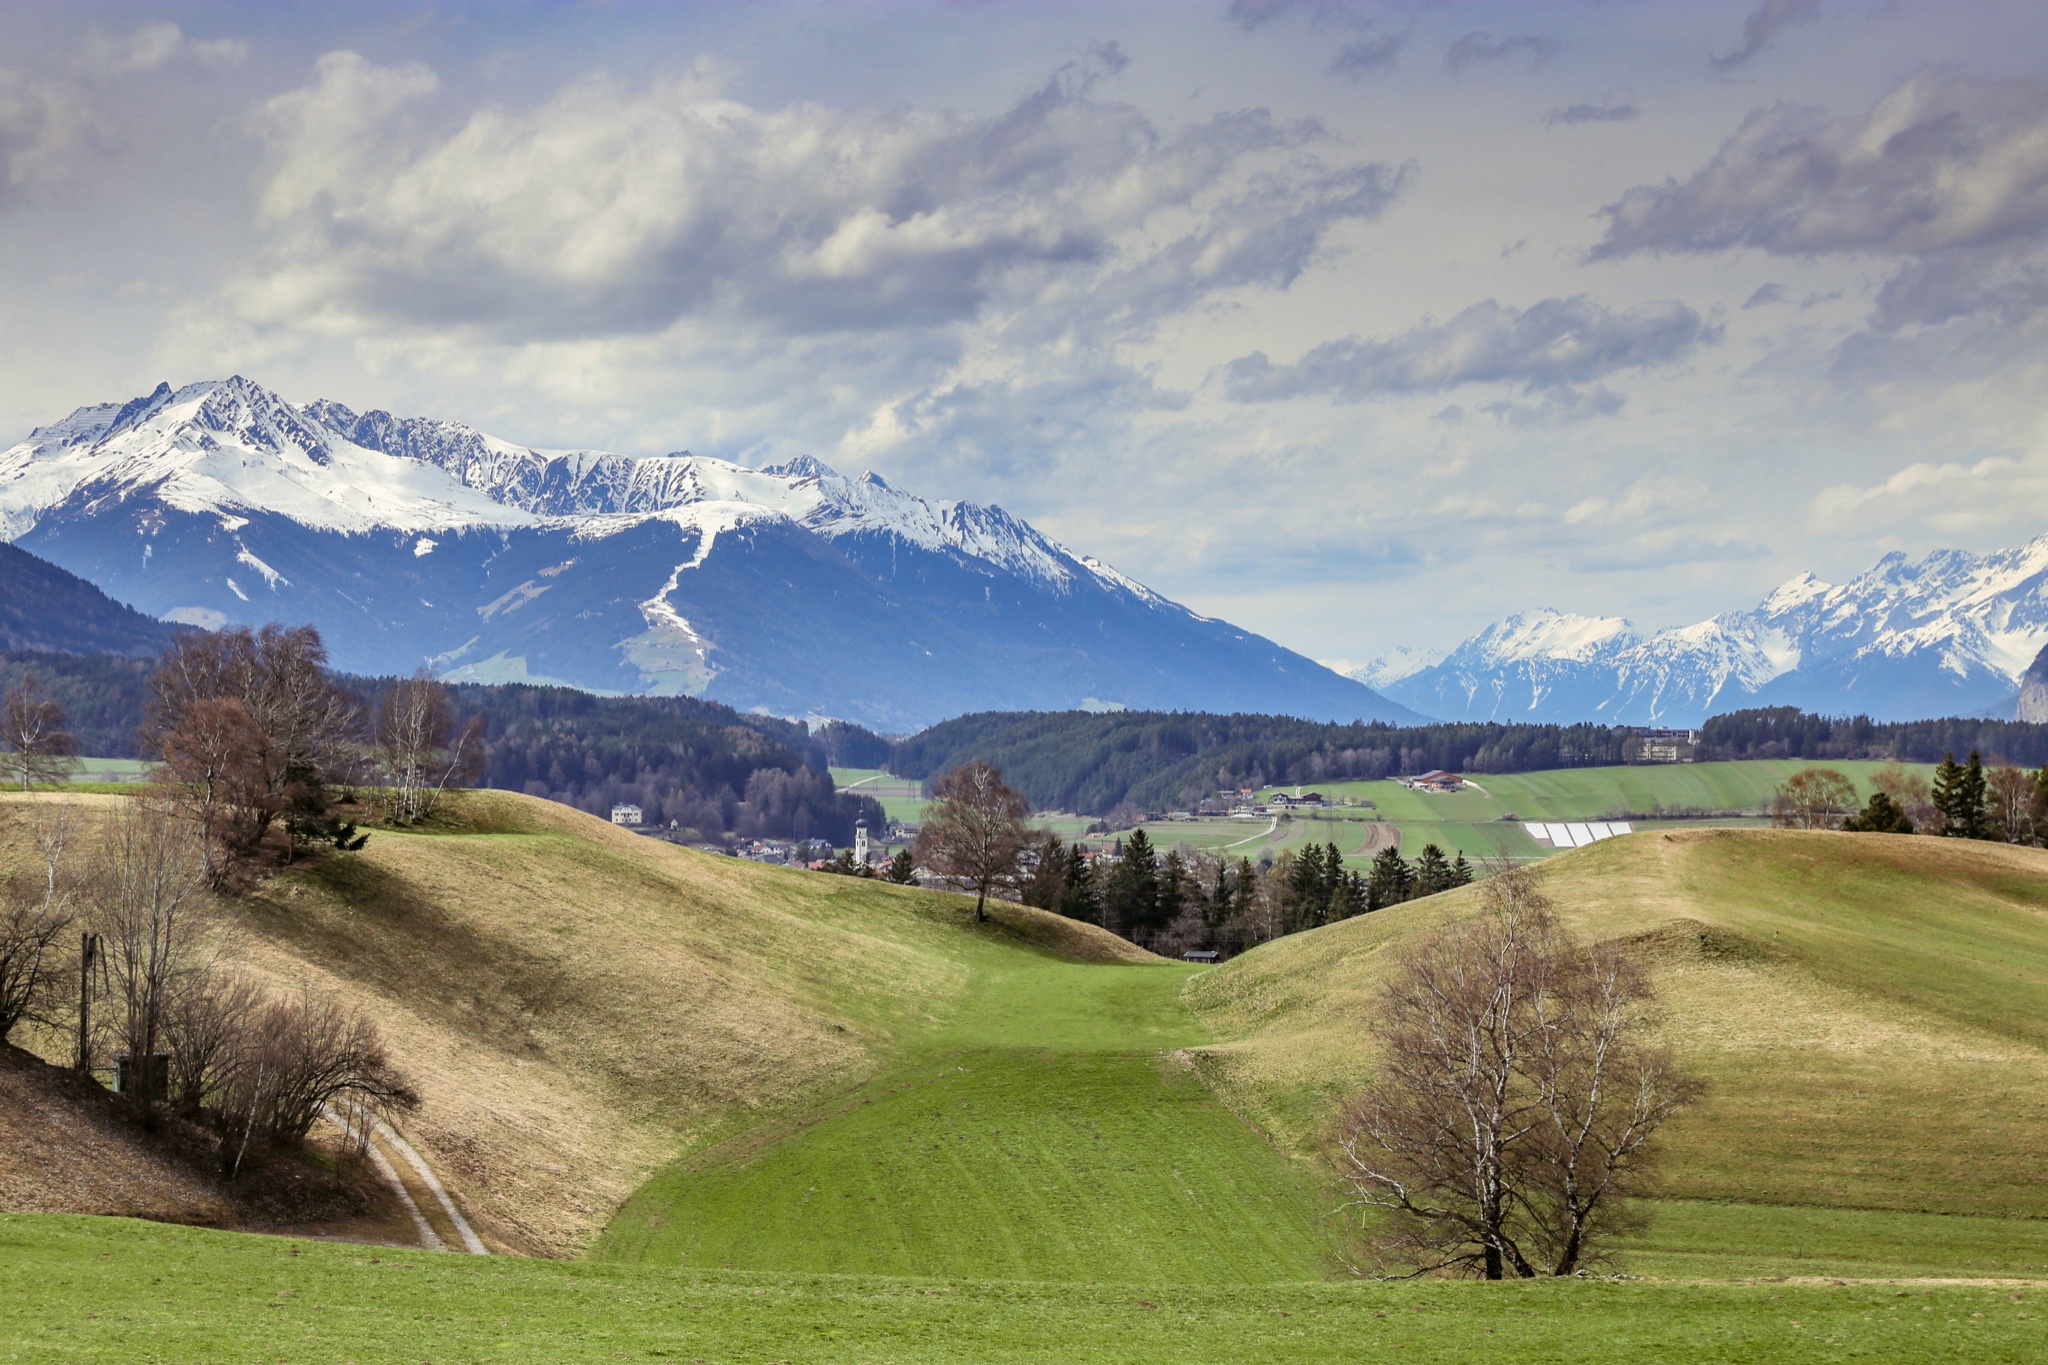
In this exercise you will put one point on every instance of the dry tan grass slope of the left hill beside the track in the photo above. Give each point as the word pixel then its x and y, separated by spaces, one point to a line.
pixel 581 1004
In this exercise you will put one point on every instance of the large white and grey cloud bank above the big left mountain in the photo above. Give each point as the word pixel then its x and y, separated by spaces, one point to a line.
pixel 615 210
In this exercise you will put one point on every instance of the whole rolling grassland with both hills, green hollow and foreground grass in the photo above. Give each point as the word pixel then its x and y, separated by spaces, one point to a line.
pixel 765 1114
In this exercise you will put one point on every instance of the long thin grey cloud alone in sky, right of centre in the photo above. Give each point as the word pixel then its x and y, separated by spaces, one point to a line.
pixel 1551 345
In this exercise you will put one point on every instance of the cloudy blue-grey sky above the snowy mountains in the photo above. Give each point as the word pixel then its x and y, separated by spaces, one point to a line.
pixel 1357 324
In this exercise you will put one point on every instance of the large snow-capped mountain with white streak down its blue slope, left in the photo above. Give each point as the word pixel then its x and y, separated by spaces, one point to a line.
pixel 790 588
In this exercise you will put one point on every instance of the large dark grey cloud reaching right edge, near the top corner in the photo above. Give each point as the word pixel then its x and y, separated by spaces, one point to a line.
pixel 1936 165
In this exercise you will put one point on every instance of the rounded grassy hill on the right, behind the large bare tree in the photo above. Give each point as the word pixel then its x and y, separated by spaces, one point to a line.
pixel 1867 1008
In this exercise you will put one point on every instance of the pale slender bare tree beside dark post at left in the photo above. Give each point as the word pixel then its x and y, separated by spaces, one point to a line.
pixel 157 924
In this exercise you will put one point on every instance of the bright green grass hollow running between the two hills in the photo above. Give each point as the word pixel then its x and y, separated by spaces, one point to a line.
pixel 1041 1131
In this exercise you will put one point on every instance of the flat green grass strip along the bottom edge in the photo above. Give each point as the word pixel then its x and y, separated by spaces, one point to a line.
pixel 144 1294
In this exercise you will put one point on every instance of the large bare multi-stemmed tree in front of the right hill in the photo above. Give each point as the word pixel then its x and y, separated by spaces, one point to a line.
pixel 1519 1096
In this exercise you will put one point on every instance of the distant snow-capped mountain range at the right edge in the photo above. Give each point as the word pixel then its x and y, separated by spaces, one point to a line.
pixel 1936 637
